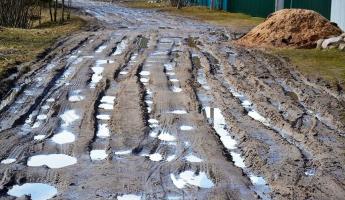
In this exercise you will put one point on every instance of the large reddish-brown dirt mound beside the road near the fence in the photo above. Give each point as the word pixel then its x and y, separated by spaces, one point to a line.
pixel 297 28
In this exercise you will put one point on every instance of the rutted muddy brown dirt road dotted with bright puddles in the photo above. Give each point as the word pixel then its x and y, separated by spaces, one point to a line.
pixel 151 106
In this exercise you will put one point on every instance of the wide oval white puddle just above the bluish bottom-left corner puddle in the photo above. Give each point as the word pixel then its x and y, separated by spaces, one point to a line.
pixel 53 161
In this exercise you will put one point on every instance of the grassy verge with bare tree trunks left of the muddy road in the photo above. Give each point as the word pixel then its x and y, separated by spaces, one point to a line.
pixel 23 45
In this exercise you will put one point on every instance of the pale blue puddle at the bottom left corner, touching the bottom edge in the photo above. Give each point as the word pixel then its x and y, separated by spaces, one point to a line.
pixel 37 191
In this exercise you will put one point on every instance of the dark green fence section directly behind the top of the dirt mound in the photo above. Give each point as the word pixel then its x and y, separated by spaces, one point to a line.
pixel 321 6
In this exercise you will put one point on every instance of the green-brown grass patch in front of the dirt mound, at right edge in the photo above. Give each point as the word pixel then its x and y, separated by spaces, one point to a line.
pixel 327 64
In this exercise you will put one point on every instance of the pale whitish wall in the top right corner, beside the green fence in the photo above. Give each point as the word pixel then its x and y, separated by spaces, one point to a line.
pixel 338 13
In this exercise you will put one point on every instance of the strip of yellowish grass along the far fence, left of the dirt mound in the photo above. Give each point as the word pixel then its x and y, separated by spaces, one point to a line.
pixel 233 20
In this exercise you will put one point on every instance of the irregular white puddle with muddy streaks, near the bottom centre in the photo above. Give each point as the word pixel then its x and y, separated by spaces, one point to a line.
pixel 191 178
